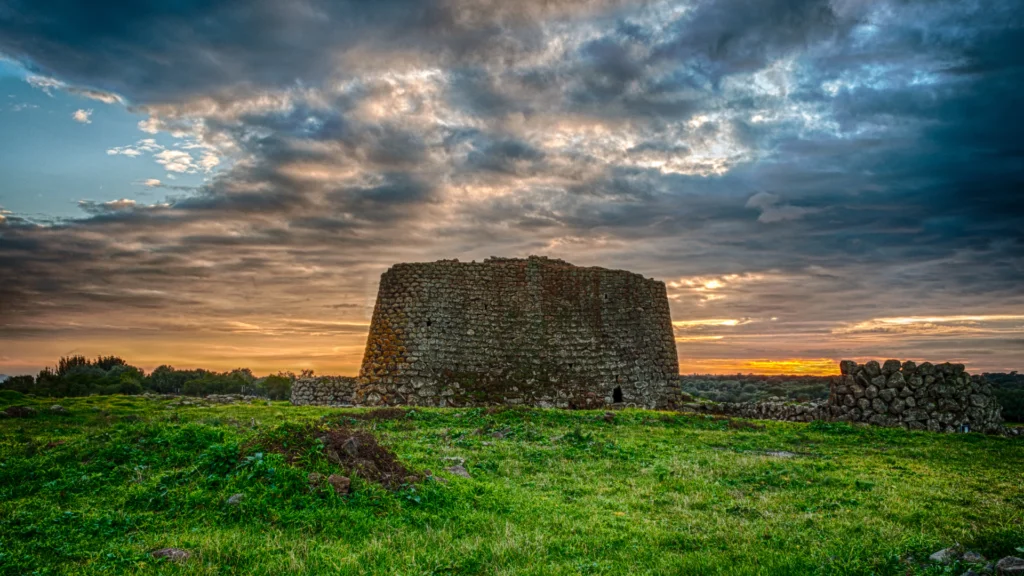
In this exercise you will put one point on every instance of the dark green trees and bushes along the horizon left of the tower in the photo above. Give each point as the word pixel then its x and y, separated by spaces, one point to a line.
pixel 78 376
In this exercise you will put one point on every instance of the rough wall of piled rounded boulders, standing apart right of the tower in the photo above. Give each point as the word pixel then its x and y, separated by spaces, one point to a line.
pixel 940 398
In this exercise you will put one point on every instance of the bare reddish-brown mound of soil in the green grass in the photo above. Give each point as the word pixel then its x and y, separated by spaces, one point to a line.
pixel 360 454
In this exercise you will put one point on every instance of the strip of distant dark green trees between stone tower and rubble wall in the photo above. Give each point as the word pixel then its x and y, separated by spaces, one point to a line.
pixel 751 388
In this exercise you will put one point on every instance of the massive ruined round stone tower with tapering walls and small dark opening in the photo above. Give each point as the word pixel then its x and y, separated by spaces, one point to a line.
pixel 532 332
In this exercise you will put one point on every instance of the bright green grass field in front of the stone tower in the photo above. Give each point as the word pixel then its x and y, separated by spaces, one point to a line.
pixel 95 491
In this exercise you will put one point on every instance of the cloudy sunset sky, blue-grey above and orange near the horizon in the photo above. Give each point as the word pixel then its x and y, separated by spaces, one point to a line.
pixel 221 184
